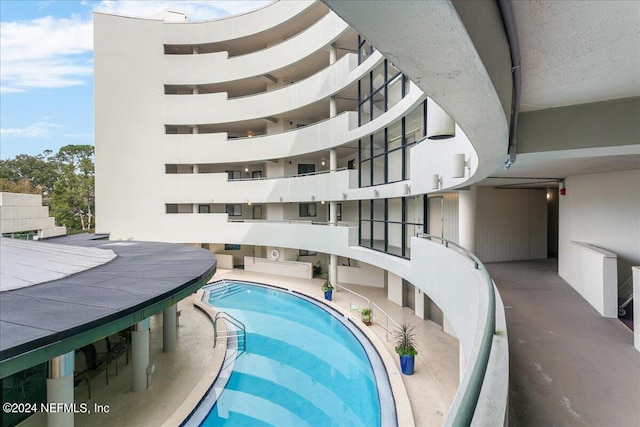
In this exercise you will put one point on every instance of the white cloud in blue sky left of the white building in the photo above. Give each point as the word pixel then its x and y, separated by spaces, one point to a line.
pixel 45 53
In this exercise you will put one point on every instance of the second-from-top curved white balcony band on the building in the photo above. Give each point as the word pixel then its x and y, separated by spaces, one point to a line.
pixel 218 67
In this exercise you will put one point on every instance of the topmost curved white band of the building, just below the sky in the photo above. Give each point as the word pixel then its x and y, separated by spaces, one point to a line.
pixel 268 18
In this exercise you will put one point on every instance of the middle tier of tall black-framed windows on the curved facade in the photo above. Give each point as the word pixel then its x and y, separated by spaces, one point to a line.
pixel 384 156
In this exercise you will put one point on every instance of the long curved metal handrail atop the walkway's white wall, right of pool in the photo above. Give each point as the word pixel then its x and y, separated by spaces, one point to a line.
pixel 469 401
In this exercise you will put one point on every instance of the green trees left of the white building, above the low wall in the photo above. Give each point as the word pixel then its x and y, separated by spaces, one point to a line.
pixel 66 181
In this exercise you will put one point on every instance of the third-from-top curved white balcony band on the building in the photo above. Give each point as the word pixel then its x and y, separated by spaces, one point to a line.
pixel 217 108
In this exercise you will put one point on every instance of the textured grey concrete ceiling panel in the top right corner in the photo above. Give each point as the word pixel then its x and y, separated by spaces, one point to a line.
pixel 577 52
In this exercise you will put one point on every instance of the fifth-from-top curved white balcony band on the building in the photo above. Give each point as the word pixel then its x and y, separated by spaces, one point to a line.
pixel 322 186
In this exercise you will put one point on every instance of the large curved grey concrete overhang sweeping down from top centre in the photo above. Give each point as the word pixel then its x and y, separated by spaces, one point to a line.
pixel 430 43
